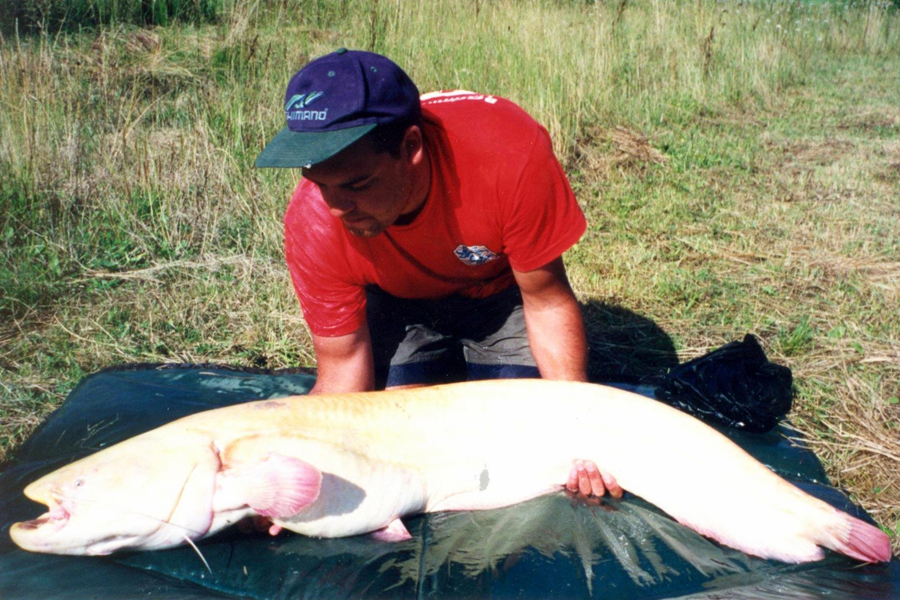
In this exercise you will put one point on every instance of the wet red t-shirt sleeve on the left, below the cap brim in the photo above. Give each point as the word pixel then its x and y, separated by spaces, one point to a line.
pixel 332 304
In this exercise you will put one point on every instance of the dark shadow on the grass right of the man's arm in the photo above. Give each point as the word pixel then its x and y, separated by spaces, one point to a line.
pixel 625 347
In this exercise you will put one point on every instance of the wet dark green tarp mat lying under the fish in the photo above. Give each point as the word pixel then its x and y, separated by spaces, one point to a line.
pixel 547 548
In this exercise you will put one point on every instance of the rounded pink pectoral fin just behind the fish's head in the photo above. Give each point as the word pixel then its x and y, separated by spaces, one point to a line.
pixel 280 486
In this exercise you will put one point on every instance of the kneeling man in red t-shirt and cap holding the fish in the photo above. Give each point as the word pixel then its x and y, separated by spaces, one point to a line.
pixel 425 238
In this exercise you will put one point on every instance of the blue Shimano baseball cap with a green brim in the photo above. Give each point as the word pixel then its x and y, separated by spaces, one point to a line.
pixel 334 101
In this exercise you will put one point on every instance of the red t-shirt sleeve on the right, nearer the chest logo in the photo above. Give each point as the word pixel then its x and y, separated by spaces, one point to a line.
pixel 543 218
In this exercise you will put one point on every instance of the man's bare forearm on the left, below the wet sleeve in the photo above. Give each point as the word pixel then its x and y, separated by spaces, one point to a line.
pixel 344 363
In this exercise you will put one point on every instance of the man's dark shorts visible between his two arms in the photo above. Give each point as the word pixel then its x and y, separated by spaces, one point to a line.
pixel 449 339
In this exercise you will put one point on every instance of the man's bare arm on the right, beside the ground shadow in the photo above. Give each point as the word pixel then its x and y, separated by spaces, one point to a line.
pixel 554 322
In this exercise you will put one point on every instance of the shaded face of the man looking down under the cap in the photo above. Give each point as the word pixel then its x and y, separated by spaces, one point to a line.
pixel 366 190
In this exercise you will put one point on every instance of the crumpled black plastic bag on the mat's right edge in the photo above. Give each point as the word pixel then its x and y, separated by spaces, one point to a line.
pixel 735 386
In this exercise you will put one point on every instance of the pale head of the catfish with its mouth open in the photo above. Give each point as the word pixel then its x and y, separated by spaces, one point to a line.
pixel 135 495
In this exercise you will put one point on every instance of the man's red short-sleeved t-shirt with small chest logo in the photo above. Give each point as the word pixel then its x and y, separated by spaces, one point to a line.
pixel 498 199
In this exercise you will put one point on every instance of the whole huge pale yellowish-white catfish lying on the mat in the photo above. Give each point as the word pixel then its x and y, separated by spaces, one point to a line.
pixel 348 464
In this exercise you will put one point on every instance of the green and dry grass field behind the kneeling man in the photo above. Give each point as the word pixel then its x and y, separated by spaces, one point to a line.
pixel 739 164
